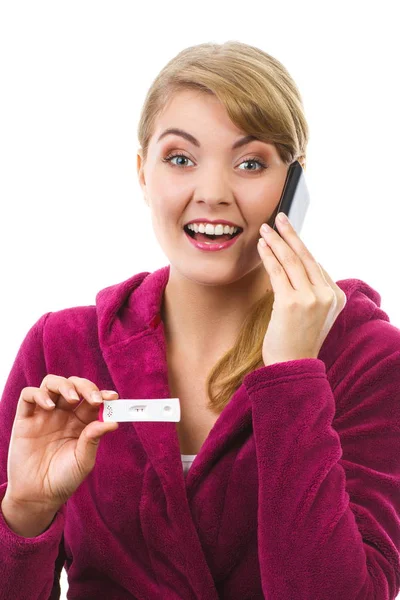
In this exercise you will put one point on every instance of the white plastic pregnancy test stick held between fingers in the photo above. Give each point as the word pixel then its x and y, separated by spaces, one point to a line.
pixel 131 410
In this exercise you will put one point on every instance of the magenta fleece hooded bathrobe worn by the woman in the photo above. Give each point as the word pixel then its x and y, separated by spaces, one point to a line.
pixel 295 494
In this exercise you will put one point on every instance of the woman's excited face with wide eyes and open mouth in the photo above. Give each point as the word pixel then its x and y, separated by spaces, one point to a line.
pixel 211 181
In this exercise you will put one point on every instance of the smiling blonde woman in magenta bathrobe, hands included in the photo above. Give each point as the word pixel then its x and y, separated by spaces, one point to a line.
pixel 288 384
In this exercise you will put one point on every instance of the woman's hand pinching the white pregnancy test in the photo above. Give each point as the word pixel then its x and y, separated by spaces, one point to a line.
pixel 53 449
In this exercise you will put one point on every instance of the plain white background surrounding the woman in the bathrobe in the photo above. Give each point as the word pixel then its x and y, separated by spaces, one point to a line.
pixel 73 79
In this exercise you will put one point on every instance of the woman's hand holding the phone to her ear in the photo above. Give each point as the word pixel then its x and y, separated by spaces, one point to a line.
pixel 307 301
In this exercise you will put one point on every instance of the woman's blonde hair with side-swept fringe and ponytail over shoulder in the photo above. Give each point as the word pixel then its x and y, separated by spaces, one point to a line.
pixel 261 99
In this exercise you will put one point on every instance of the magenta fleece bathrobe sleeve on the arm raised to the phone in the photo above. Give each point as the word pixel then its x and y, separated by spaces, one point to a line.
pixel 329 473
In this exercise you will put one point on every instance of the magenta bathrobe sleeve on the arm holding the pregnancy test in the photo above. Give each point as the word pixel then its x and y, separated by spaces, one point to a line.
pixel 29 567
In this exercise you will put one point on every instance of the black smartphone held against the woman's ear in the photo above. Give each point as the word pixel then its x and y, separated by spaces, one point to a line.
pixel 295 199
